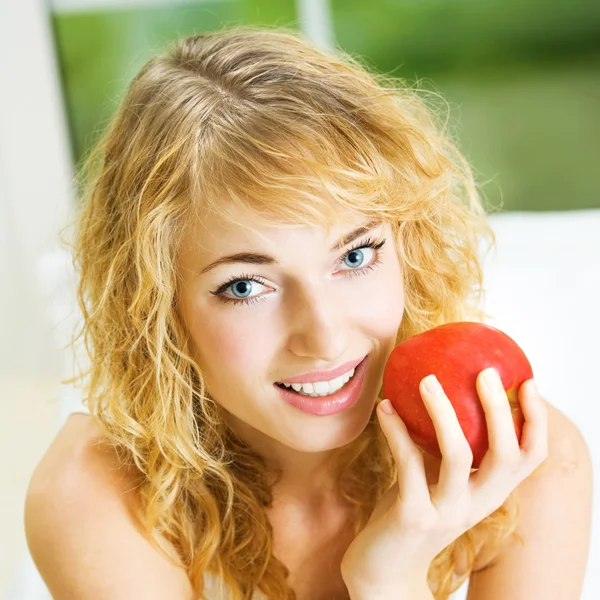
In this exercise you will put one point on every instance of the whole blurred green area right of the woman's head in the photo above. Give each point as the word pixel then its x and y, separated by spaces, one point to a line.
pixel 522 79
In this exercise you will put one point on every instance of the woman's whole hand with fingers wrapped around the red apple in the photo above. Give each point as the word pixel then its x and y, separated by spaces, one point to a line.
pixel 415 521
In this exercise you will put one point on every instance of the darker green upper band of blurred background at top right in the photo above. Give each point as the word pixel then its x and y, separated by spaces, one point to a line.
pixel 419 38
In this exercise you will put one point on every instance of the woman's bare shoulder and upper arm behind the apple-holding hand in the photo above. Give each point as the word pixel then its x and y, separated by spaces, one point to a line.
pixel 555 523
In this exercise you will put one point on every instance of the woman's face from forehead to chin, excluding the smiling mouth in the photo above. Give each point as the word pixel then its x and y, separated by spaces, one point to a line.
pixel 313 306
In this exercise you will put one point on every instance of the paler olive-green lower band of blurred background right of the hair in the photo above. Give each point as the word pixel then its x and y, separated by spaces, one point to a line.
pixel 531 132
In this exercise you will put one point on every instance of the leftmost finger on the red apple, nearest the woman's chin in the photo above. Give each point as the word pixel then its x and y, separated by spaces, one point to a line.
pixel 412 481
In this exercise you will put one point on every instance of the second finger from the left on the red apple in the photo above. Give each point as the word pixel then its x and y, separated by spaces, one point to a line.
pixel 457 456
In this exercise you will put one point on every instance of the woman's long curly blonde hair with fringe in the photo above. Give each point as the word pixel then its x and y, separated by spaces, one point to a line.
pixel 262 119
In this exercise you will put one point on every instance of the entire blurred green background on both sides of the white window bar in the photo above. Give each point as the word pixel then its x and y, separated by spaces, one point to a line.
pixel 522 79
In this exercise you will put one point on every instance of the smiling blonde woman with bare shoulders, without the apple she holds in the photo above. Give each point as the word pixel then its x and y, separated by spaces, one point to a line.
pixel 267 222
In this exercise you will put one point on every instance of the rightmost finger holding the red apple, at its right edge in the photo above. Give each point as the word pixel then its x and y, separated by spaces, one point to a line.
pixel 534 436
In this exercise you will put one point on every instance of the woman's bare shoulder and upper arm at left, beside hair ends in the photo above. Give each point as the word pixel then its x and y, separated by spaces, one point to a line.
pixel 81 527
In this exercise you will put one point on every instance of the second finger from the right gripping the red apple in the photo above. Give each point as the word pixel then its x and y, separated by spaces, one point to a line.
pixel 504 454
